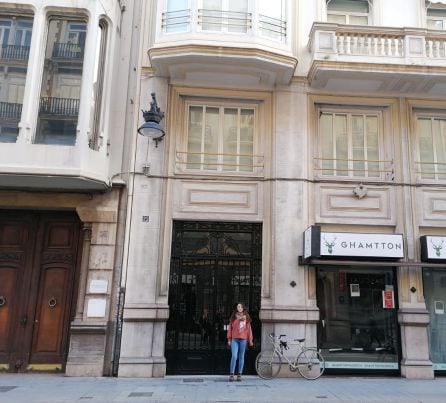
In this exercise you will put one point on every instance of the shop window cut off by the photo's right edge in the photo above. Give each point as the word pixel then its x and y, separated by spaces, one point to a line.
pixel 435 295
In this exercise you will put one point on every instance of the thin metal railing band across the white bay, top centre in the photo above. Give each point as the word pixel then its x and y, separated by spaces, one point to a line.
pixel 204 20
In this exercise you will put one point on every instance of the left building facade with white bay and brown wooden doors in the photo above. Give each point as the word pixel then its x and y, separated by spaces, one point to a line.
pixel 64 94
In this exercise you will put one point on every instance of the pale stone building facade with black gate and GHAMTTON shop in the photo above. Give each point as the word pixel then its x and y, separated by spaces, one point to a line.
pixel 318 117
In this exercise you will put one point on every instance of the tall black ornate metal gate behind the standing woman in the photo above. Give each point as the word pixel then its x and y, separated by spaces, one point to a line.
pixel 214 266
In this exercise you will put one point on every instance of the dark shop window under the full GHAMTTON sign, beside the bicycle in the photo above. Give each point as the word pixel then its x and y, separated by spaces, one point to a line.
pixel 358 327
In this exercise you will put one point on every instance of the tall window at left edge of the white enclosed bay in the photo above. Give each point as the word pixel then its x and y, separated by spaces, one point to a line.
pixel 15 40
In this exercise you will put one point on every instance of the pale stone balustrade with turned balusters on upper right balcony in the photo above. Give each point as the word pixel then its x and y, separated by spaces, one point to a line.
pixel 408 46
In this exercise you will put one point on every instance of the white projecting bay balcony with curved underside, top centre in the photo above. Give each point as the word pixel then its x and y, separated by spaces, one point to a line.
pixel 223 46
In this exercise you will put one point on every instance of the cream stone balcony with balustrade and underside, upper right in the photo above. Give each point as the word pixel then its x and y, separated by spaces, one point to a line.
pixel 378 59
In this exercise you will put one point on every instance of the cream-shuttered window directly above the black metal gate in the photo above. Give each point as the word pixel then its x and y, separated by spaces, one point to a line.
pixel 220 138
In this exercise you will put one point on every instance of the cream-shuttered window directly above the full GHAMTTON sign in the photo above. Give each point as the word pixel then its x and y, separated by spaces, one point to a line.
pixel 349 144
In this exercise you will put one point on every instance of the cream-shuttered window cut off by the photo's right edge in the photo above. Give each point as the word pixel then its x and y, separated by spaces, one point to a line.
pixel 431 132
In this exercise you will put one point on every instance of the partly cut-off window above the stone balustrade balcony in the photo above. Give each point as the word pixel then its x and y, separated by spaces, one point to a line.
pixel 354 12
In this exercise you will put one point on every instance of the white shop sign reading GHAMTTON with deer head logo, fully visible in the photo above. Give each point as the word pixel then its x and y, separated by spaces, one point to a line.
pixel 347 244
